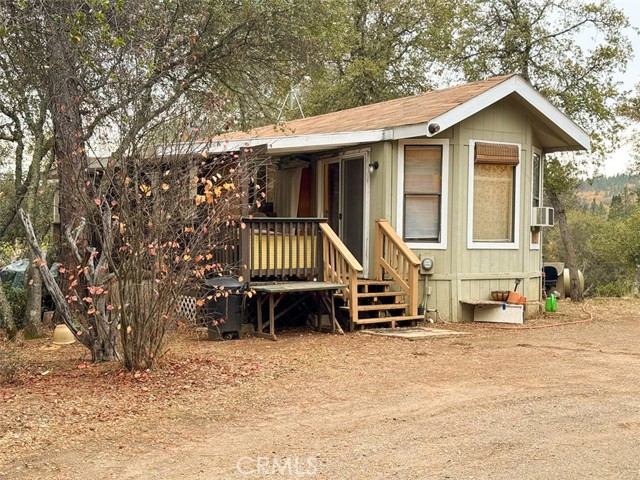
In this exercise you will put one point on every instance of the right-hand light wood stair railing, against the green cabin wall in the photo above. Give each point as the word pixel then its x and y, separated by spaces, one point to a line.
pixel 393 258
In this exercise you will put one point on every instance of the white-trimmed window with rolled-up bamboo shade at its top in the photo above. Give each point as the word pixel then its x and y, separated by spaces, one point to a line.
pixel 494 195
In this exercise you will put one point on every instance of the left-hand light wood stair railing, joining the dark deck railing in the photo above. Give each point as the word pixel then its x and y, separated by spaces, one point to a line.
pixel 340 266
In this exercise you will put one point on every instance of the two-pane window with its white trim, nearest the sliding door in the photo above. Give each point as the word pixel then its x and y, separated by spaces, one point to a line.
pixel 422 186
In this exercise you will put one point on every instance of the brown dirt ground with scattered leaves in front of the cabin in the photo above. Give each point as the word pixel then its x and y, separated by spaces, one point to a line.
pixel 553 402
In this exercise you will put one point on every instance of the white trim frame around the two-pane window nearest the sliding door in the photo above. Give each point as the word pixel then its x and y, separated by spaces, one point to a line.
pixel 444 198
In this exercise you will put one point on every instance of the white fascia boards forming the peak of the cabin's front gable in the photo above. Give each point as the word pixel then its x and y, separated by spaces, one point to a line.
pixel 529 94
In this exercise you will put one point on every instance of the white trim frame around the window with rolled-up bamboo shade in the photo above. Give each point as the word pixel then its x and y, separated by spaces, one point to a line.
pixel 471 243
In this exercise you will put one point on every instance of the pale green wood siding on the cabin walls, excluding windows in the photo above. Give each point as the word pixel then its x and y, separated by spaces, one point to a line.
pixel 459 272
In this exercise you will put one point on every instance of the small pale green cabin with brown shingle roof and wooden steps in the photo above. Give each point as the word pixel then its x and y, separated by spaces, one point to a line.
pixel 453 177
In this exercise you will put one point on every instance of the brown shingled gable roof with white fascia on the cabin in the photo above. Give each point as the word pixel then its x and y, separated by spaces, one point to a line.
pixel 420 115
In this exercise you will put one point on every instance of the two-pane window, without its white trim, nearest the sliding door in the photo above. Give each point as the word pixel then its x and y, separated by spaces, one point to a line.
pixel 422 193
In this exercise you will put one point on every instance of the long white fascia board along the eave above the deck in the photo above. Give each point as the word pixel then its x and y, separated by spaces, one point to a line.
pixel 281 144
